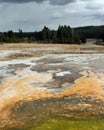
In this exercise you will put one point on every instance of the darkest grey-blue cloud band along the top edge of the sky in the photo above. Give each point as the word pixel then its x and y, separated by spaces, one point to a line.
pixel 52 2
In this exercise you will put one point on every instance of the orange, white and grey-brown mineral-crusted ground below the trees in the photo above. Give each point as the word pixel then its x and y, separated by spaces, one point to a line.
pixel 41 81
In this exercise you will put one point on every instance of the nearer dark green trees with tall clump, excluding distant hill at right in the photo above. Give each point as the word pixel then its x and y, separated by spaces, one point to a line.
pixel 64 34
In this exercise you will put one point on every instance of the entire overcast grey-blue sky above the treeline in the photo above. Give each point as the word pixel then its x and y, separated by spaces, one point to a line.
pixel 33 15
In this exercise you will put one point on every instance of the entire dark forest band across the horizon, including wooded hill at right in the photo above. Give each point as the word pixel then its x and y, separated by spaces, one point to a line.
pixel 63 35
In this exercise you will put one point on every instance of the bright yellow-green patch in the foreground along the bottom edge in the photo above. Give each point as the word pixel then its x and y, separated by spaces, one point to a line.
pixel 63 124
